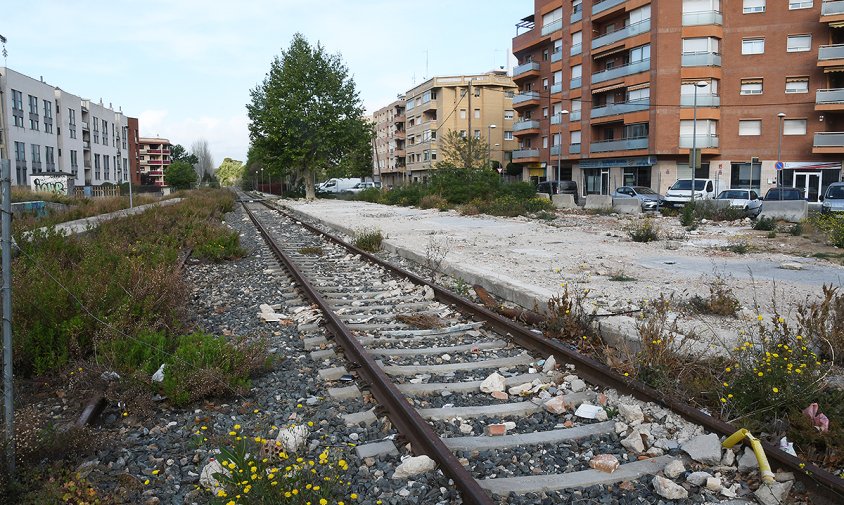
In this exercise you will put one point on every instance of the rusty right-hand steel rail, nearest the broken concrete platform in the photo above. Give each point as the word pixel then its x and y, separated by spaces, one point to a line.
pixel 823 483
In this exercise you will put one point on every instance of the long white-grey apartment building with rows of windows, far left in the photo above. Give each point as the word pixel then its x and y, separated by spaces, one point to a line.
pixel 46 130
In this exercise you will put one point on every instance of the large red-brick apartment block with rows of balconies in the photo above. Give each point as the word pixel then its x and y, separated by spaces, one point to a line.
pixel 629 93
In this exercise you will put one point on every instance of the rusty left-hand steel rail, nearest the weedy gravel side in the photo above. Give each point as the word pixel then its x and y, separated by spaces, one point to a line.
pixel 401 413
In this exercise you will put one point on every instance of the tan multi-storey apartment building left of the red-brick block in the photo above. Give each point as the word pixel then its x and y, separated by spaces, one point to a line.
pixel 441 104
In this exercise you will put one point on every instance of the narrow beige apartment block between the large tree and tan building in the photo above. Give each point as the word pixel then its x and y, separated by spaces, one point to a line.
pixel 388 157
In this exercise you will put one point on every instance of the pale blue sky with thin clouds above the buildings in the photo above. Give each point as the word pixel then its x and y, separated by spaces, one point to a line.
pixel 184 68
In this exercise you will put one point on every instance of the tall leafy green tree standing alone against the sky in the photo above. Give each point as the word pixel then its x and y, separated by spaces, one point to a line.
pixel 306 115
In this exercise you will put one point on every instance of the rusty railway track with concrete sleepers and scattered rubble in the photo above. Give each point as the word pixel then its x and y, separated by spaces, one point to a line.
pixel 505 413
